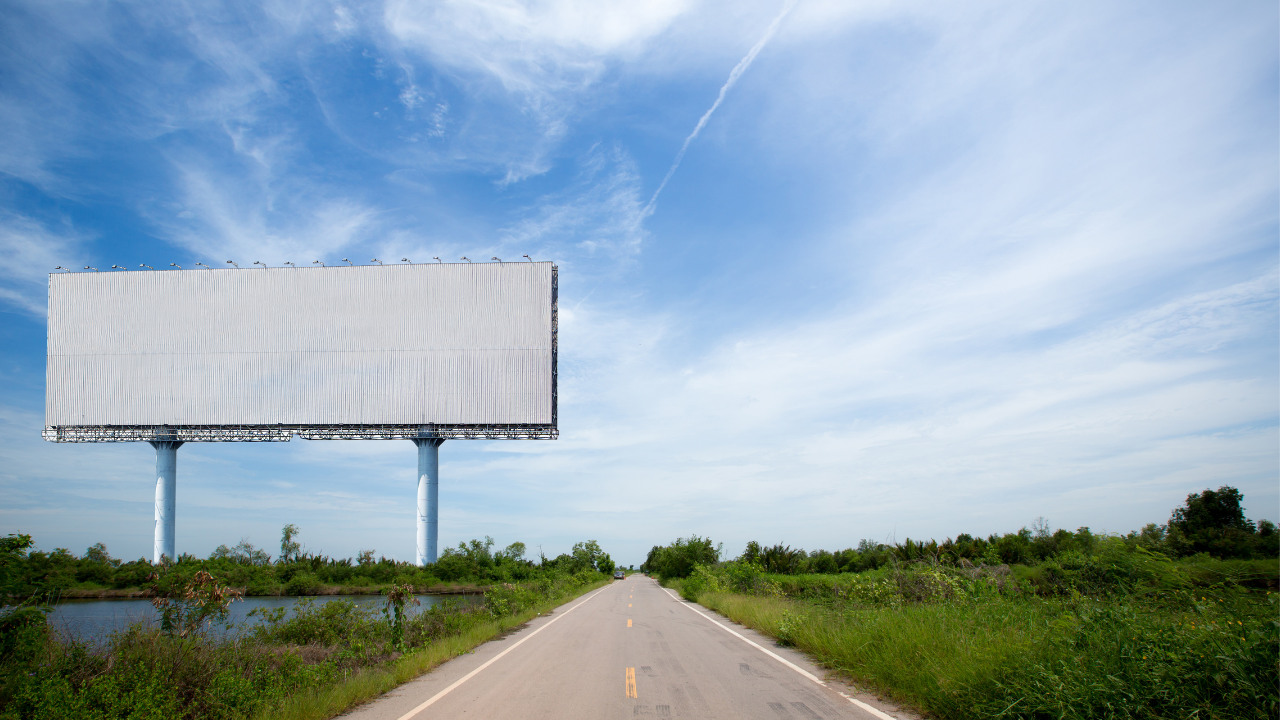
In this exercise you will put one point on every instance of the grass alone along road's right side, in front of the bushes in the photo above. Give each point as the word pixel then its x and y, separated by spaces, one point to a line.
pixel 1122 658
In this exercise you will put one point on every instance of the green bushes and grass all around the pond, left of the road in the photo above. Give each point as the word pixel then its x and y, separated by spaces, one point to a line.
pixel 312 663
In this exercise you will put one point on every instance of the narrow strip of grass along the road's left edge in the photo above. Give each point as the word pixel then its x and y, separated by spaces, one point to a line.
pixel 330 701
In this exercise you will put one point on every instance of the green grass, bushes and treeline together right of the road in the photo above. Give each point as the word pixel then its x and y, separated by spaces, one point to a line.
pixel 1174 621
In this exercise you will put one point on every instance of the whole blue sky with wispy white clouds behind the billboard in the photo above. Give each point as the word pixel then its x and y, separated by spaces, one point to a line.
pixel 926 268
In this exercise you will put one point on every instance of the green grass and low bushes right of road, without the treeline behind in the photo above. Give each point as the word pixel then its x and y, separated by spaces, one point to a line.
pixel 1126 634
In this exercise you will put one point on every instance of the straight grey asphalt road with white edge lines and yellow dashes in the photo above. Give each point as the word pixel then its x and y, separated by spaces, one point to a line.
pixel 629 650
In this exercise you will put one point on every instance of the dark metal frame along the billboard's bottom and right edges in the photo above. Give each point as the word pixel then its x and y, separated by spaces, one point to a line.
pixel 282 432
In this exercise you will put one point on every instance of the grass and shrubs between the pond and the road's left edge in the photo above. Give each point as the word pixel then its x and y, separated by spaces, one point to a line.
pixel 314 663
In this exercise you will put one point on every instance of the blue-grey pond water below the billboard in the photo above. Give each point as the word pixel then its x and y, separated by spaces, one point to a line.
pixel 97 619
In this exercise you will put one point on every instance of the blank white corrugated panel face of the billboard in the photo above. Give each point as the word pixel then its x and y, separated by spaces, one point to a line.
pixel 454 344
